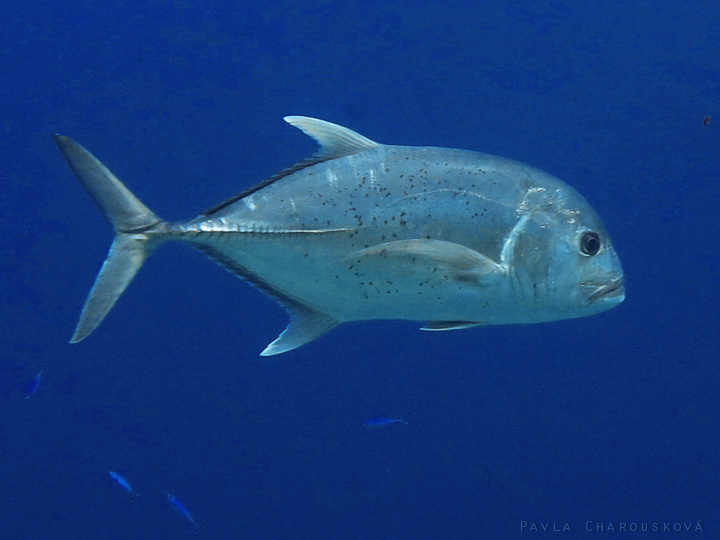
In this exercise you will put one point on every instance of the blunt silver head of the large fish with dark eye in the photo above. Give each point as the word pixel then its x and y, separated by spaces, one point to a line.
pixel 563 262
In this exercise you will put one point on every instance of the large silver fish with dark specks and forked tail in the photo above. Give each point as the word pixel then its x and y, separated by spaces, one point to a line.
pixel 364 230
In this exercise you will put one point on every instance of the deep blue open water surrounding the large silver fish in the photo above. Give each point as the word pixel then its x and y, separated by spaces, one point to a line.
pixel 608 419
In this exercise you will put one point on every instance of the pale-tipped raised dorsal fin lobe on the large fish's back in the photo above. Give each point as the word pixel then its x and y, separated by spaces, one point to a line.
pixel 335 141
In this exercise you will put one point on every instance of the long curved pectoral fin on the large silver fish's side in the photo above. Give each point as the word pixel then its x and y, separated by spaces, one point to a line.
pixel 456 261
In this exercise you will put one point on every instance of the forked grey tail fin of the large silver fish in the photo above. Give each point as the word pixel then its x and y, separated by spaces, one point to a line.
pixel 136 234
